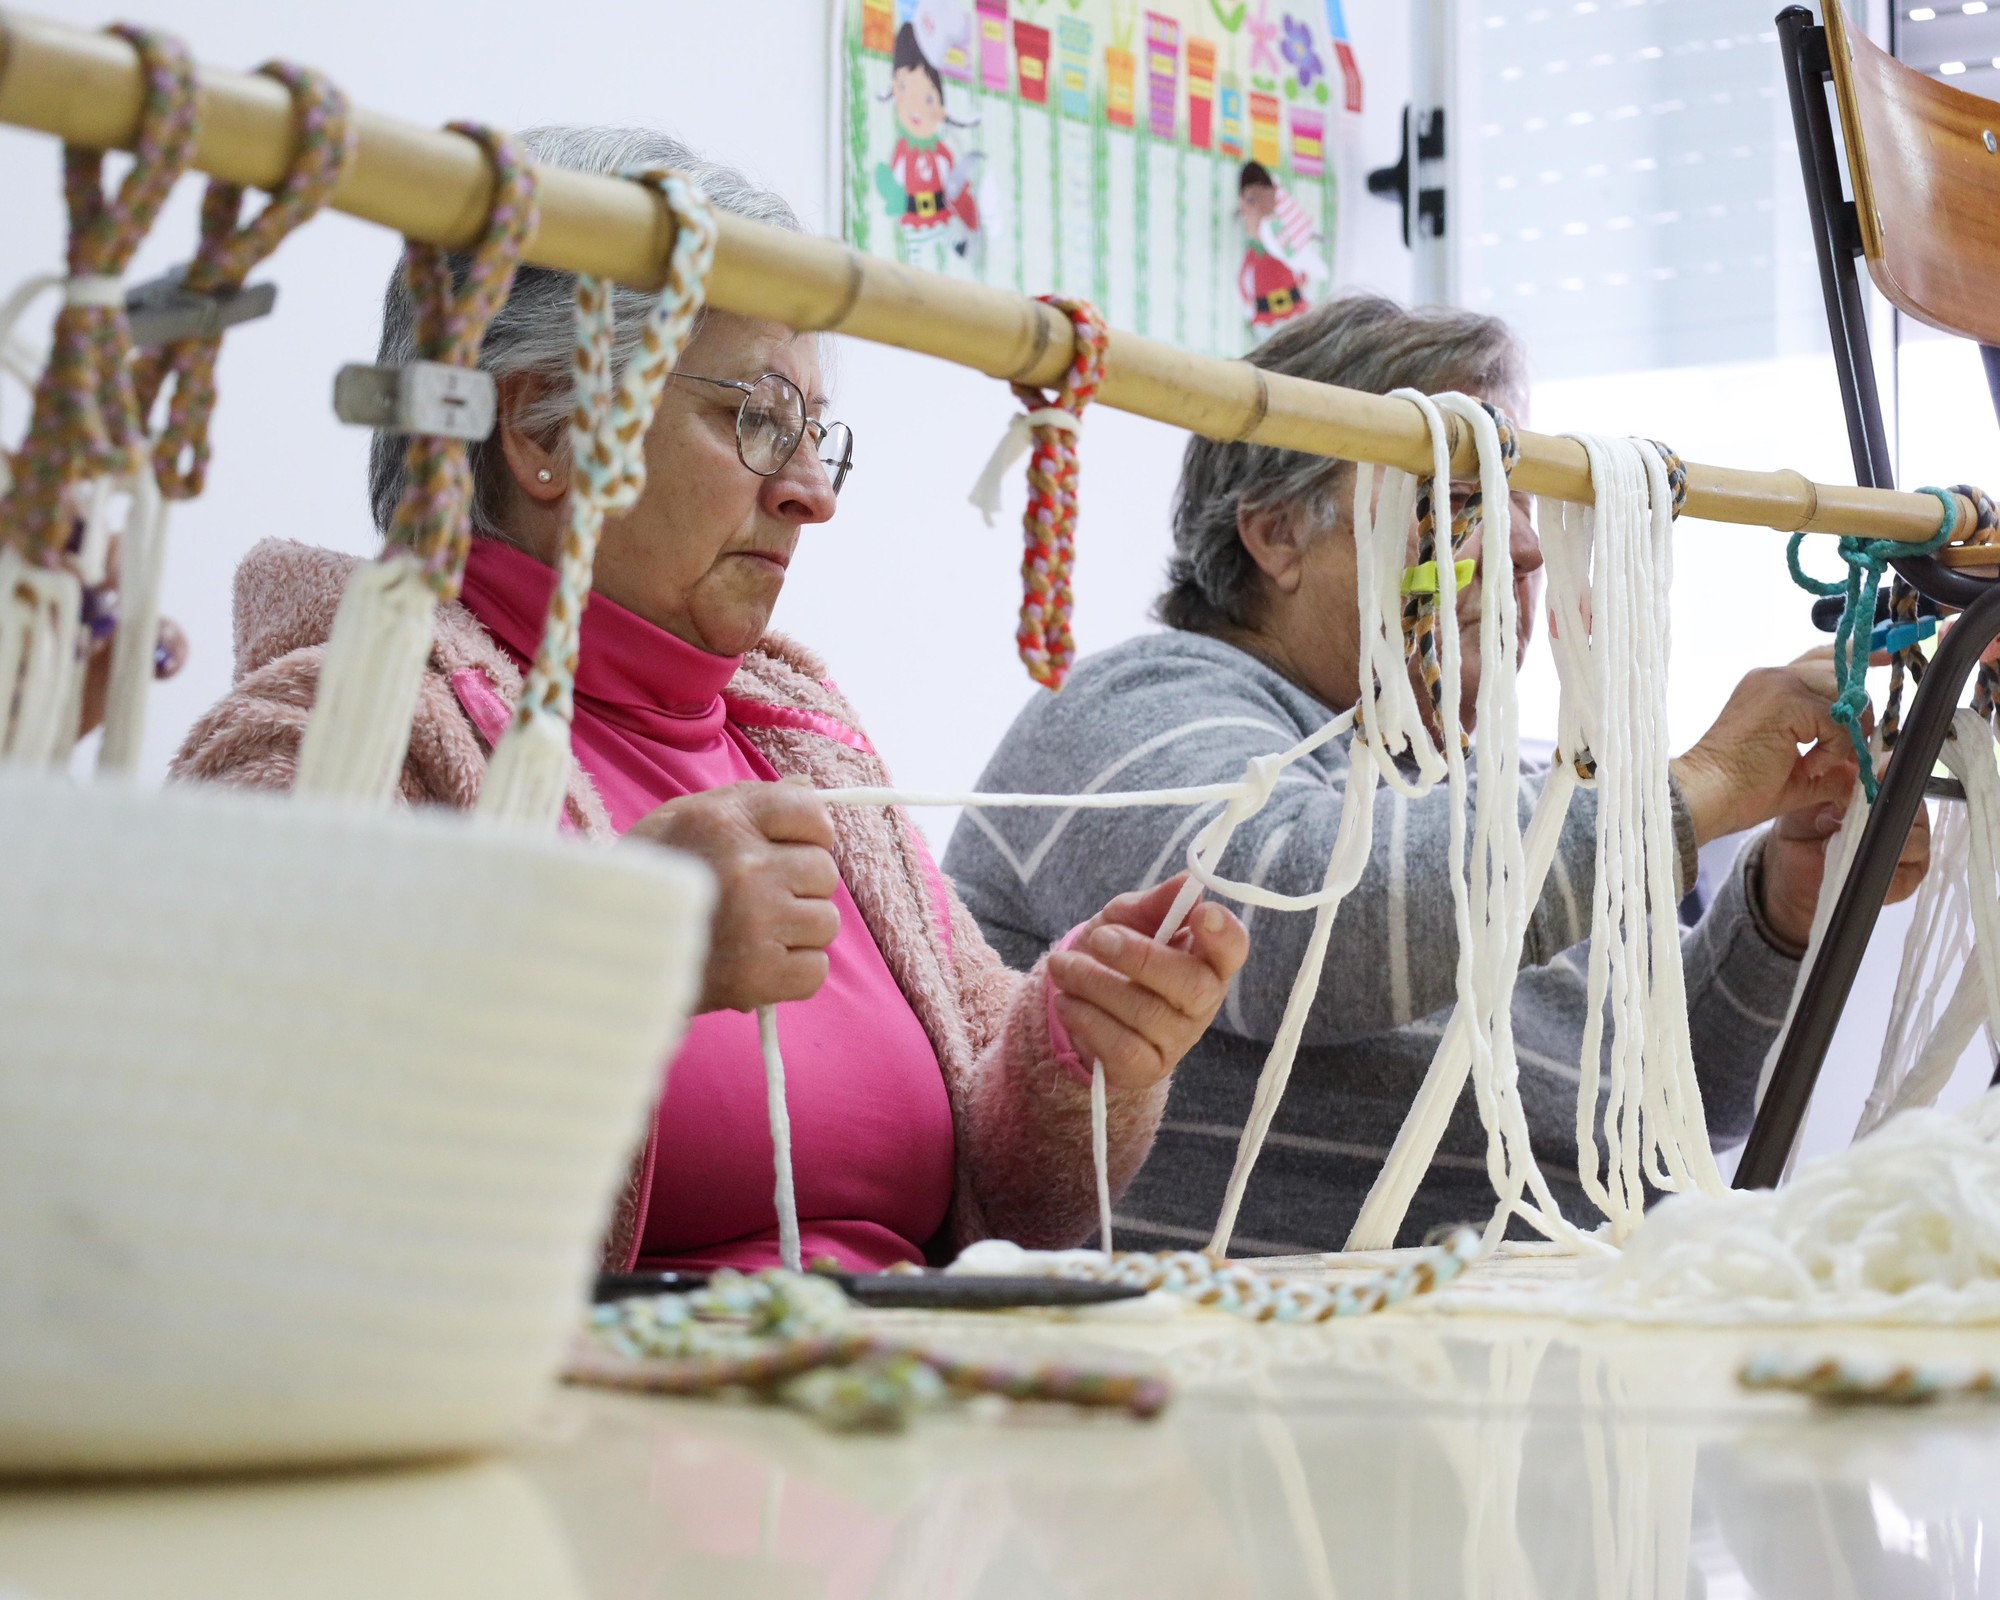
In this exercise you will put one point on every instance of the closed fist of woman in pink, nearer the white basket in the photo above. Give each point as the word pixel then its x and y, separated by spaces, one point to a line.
pixel 773 853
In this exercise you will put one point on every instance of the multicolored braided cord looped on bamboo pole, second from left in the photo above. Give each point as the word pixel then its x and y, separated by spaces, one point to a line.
pixel 225 257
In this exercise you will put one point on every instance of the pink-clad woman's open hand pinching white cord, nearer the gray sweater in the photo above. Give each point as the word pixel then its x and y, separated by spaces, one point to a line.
pixel 1137 1005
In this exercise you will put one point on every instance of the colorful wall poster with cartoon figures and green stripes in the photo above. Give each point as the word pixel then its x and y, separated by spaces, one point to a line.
pixel 1171 161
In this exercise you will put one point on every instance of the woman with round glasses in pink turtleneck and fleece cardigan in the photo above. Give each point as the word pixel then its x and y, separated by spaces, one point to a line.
pixel 935 1095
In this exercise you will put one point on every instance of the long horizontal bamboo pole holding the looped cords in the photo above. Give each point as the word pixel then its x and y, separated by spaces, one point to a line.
pixel 431 185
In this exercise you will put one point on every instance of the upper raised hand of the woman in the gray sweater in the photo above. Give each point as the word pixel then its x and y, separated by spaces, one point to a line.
pixel 1749 769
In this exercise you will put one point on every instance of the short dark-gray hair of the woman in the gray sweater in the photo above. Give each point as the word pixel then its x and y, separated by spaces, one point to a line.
pixel 1357 341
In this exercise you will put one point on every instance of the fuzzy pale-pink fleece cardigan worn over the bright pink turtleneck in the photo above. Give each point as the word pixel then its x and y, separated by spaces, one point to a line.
pixel 1021 1113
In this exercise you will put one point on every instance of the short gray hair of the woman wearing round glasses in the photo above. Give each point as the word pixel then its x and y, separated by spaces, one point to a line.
pixel 537 327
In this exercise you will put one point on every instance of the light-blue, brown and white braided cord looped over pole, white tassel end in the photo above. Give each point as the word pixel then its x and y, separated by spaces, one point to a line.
pixel 529 773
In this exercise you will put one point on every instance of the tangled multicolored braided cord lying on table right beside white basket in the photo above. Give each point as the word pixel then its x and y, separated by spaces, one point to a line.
pixel 787 1337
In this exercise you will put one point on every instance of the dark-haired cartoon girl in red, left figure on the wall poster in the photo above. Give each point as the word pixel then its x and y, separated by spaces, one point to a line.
pixel 925 185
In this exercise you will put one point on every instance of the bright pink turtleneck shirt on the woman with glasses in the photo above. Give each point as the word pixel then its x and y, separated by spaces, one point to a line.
pixel 871 1119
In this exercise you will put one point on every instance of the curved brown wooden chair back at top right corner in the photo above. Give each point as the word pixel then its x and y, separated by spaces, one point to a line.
pixel 1925 165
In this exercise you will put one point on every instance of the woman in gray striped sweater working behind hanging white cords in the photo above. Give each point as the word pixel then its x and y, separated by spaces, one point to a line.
pixel 1261 649
